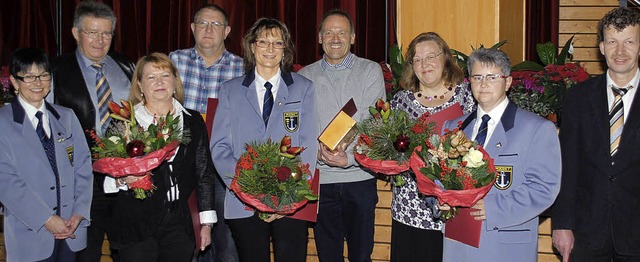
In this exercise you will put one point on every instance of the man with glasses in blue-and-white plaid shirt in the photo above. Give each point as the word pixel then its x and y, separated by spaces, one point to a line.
pixel 204 67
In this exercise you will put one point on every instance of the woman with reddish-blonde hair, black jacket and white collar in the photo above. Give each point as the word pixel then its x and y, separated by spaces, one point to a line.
pixel 159 228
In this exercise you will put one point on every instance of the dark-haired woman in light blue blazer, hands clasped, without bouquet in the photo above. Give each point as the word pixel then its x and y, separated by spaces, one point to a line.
pixel 45 168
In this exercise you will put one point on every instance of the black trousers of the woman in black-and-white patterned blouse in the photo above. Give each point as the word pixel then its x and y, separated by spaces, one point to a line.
pixel 412 244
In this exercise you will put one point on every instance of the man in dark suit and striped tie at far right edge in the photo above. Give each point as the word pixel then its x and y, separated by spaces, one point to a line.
pixel 596 215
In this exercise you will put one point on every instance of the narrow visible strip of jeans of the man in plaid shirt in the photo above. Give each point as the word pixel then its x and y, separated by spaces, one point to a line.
pixel 222 248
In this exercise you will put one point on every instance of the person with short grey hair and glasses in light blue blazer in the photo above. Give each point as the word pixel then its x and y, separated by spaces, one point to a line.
pixel 526 151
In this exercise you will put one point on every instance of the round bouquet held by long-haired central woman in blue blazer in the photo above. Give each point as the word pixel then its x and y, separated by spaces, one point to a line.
pixel 271 178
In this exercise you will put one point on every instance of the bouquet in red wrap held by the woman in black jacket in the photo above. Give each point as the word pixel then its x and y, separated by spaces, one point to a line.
pixel 129 149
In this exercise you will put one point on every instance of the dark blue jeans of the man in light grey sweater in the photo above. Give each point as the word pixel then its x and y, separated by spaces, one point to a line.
pixel 347 211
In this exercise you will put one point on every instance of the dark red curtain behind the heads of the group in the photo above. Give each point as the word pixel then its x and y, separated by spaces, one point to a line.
pixel 146 26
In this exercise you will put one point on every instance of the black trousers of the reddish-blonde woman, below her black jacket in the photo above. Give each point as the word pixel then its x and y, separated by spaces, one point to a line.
pixel 170 243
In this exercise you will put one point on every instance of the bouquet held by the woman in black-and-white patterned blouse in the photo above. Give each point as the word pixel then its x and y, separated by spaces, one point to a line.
pixel 387 139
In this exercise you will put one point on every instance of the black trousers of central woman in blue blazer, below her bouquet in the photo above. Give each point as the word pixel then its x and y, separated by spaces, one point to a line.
pixel 252 237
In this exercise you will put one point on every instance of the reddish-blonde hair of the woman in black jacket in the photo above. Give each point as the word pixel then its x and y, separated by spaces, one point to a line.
pixel 158 60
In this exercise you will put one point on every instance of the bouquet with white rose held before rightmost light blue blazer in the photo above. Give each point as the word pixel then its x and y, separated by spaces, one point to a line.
pixel 454 169
